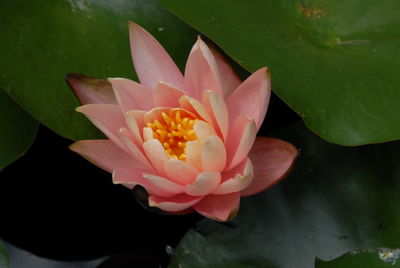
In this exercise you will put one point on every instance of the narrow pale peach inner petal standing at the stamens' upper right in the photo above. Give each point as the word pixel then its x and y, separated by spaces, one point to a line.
pixel 215 104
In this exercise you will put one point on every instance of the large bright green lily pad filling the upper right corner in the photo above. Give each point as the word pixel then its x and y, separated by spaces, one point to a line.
pixel 335 63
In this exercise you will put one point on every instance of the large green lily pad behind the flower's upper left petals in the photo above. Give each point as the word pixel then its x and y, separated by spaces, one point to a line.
pixel 44 40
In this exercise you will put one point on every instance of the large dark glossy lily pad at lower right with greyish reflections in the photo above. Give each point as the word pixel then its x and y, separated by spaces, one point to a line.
pixel 336 199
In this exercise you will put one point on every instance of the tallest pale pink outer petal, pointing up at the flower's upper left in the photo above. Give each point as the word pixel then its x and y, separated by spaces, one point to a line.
pixel 152 62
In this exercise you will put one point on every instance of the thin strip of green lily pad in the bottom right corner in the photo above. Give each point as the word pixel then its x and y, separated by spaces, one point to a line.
pixel 364 258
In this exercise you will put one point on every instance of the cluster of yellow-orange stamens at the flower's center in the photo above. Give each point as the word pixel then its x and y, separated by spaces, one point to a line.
pixel 173 131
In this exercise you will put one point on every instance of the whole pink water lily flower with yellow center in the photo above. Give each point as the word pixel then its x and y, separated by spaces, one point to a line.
pixel 189 140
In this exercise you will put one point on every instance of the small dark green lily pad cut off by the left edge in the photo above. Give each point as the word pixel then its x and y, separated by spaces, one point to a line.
pixel 17 131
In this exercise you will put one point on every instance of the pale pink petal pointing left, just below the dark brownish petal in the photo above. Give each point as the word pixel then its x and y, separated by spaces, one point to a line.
pixel 106 117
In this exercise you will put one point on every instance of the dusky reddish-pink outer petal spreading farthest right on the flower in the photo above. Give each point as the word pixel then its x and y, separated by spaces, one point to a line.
pixel 272 159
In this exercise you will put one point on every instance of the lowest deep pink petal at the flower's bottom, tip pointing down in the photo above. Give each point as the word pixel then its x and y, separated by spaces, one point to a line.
pixel 219 207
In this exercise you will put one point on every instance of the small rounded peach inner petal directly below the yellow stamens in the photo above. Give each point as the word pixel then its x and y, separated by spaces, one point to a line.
pixel 179 171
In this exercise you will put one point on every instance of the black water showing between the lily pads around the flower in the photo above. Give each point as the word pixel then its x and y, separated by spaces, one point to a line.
pixel 57 205
